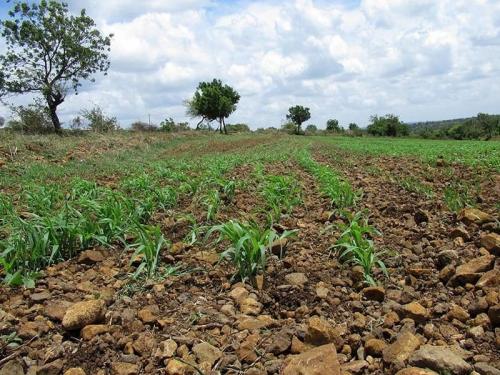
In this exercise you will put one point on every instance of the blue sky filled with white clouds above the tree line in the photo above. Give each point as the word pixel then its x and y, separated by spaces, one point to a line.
pixel 344 59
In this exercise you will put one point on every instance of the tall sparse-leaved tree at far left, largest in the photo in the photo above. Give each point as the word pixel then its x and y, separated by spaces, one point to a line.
pixel 49 52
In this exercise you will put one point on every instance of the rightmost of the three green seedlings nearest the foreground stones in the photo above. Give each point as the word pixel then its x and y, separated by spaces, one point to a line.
pixel 356 246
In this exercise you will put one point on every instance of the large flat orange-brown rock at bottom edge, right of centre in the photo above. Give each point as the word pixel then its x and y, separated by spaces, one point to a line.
pixel 318 361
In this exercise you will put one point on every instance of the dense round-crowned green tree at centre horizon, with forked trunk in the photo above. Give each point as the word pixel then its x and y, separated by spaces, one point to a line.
pixel 213 101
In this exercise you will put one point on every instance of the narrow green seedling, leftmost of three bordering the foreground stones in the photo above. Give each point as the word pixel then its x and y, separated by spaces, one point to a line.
pixel 149 243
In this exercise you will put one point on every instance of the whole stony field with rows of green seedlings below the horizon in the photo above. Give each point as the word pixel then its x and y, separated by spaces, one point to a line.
pixel 150 253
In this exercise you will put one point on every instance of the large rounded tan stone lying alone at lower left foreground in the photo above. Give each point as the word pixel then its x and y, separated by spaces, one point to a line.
pixel 83 313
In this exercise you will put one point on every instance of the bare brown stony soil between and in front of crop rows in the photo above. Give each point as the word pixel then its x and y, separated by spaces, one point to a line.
pixel 439 308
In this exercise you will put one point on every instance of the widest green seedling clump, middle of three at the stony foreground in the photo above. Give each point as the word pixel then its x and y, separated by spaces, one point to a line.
pixel 249 246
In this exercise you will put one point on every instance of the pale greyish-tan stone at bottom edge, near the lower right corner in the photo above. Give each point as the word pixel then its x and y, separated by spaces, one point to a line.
pixel 439 359
